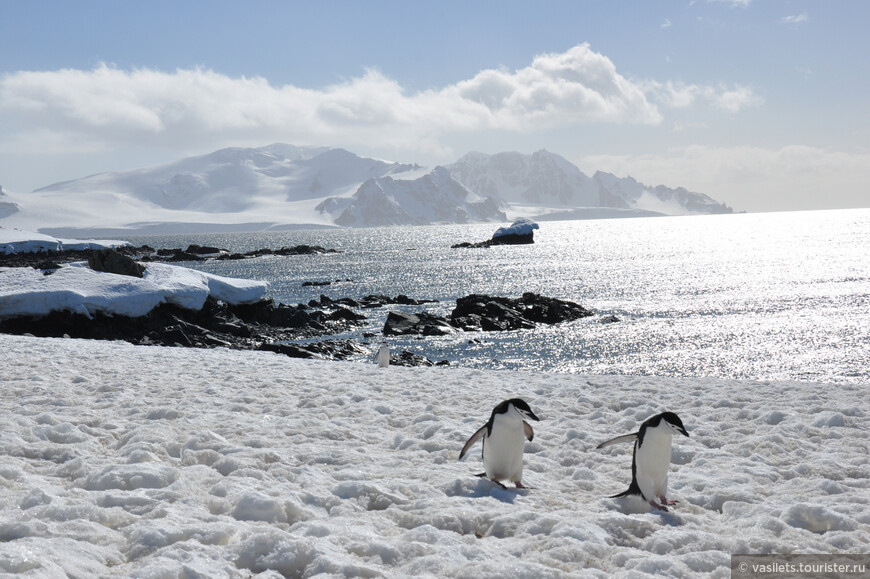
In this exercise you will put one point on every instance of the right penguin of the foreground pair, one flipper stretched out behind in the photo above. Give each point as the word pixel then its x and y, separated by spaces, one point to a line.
pixel 652 457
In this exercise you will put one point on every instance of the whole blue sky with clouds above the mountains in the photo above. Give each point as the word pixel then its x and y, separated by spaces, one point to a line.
pixel 763 105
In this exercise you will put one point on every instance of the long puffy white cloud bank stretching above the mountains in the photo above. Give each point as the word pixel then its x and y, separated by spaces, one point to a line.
pixel 199 105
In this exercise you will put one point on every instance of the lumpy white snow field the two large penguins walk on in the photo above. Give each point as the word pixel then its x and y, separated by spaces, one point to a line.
pixel 147 461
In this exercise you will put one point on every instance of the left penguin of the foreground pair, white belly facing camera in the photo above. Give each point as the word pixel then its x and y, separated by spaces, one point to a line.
pixel 502 439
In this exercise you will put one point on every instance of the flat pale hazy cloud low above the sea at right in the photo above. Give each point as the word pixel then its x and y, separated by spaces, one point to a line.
pixel 752 178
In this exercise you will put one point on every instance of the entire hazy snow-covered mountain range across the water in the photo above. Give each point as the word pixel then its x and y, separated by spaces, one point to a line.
pixel 283 186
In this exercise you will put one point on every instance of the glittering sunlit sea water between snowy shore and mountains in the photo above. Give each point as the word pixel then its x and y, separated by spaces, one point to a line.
pixel 750 296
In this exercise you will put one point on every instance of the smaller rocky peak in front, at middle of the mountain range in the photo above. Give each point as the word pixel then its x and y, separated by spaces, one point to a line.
pixel 435 197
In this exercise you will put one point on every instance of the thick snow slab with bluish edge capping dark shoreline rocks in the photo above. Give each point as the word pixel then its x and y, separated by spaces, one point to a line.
pixel 76 288
